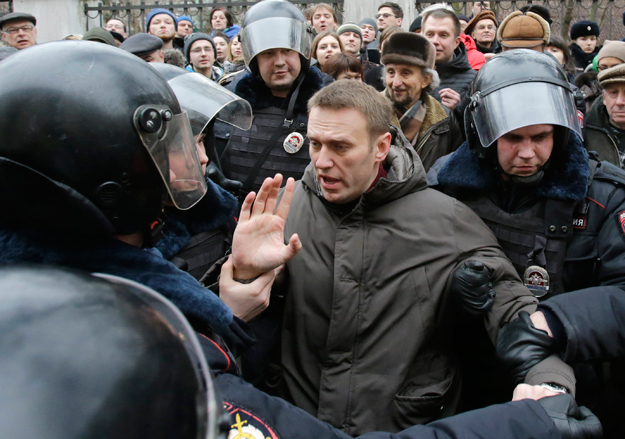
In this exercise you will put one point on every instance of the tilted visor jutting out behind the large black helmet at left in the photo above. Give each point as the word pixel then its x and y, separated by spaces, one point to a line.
pixel 203 100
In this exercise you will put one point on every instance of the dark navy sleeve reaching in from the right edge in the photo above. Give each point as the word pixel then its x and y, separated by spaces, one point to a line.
pixel 593 321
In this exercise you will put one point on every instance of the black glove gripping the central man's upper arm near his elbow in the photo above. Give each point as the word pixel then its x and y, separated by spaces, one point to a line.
pixel 472 288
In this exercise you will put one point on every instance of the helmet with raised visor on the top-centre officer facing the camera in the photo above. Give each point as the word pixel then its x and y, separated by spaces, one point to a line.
pixel 273 24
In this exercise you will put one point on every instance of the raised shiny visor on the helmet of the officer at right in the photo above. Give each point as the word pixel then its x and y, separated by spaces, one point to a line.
pixel 524 104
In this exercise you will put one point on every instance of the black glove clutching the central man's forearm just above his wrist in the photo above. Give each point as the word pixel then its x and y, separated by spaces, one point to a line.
pixel 520 346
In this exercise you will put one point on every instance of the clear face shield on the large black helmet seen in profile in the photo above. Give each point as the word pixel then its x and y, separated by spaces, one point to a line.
pixel 169 141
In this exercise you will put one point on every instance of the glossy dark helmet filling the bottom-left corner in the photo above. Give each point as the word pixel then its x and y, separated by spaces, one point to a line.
pixel 87 357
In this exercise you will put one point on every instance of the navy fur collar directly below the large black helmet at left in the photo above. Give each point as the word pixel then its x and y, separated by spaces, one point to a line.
pixel 107 255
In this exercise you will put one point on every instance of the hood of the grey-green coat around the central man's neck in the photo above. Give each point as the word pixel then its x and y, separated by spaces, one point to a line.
pixel 405 173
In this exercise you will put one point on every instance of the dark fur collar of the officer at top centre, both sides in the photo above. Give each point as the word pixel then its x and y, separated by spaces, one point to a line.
pixel 259 96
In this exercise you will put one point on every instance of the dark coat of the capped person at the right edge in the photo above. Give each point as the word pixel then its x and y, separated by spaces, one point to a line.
pixel 600 135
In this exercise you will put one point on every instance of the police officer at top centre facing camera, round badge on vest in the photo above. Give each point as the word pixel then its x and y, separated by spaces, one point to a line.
pixel 276 42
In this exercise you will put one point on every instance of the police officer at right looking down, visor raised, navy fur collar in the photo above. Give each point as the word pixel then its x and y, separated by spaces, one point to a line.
pixel 558 215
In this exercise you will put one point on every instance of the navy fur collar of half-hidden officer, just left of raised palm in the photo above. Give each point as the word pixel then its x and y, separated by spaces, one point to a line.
pixel 216 210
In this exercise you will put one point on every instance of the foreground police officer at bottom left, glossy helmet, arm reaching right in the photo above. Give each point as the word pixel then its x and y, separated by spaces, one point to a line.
pixel 58 325
